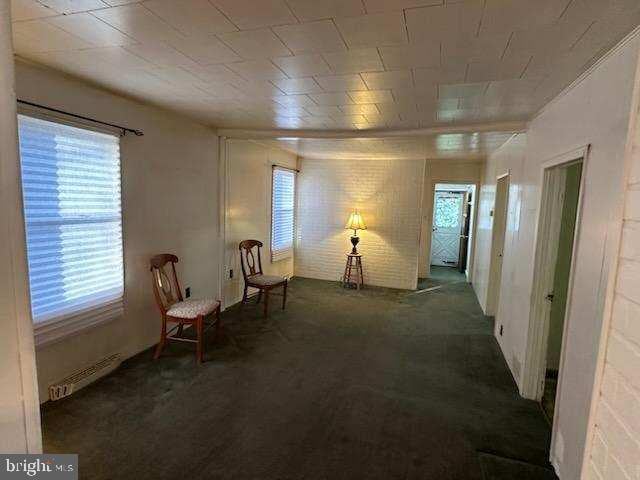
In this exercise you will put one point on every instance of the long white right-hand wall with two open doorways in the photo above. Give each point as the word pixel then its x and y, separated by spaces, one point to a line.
pixel 595 111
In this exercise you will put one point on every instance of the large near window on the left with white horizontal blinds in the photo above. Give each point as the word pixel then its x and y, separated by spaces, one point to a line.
pixel 73 222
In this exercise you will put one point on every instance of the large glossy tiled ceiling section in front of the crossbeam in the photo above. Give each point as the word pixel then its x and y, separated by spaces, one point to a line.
pixel 327 64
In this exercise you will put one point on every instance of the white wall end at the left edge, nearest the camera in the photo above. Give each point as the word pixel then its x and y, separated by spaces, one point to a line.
pixel 19 412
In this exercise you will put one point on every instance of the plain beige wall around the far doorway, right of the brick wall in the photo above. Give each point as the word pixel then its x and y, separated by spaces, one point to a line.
pixel 445 171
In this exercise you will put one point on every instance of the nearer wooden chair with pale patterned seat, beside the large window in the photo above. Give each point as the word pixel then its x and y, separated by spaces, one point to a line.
pixel 175 309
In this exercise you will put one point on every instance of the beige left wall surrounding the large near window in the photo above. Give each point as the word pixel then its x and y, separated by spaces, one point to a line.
pixel 170 204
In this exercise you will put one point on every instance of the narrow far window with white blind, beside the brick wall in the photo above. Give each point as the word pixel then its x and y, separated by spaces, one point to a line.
pixel 282 213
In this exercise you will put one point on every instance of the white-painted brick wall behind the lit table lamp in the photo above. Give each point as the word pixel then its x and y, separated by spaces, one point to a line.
pixel 387 193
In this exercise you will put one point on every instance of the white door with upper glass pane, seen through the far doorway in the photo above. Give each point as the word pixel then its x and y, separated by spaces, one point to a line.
pixel 447 222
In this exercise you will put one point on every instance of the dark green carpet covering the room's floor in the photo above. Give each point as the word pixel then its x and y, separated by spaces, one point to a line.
pixel 371 384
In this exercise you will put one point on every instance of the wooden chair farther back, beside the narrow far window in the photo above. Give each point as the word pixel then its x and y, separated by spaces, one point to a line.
pixel 254 277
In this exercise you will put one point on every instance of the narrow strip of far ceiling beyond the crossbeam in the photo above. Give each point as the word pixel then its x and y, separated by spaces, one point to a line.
pixel 464 146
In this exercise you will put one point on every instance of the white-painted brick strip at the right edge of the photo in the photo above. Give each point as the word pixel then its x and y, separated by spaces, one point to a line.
pixel 615 453
